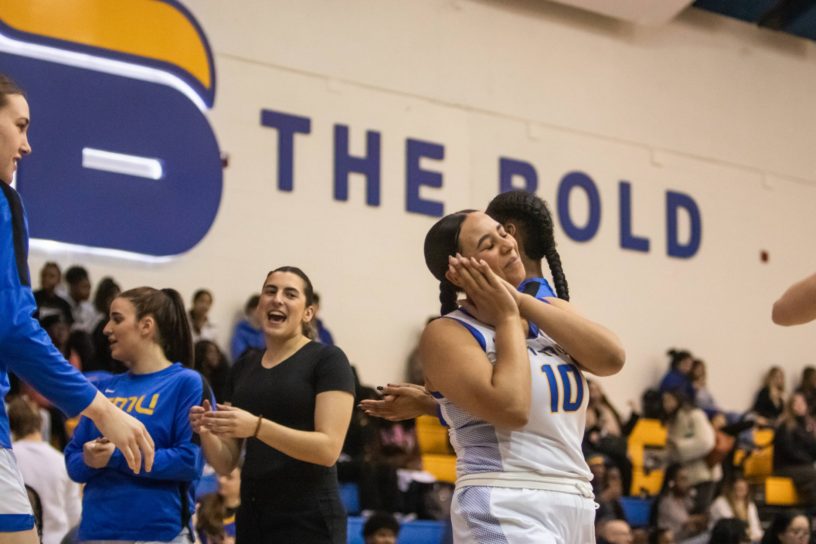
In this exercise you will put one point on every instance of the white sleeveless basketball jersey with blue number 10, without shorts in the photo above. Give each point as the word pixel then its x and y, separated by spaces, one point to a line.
pixel 550 443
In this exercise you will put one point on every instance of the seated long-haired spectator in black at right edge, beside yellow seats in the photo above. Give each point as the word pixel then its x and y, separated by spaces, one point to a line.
pixel 795 447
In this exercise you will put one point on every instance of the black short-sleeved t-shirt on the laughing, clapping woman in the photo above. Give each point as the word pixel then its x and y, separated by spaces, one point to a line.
pixel 286 395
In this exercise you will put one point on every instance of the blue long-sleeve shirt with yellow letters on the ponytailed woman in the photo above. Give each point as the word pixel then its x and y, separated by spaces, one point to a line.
pixel 161 401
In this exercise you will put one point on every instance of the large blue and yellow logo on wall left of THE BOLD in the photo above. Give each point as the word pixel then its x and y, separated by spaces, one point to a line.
pixel 124 157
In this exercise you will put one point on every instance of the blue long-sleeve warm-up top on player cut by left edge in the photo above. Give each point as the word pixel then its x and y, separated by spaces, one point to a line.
pixel 25 347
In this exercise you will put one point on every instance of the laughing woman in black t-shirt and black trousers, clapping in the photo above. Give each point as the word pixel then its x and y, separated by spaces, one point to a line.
pixel 292 405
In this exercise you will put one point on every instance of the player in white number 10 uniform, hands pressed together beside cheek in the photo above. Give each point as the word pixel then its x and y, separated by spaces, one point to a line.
pixel 515 402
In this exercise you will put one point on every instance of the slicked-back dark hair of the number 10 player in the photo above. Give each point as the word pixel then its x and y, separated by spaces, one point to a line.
pixel 441 242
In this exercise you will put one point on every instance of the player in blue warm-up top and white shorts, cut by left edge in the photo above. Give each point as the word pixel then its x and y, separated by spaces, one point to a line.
pixel 25 347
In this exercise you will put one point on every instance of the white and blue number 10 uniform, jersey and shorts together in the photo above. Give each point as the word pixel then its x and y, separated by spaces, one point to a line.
pixel 527 485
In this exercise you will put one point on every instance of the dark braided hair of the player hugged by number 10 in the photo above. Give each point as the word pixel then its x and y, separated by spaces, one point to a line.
pixel 537 233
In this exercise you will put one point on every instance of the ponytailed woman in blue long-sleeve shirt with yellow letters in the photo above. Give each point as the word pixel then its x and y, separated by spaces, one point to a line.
pixel 148 331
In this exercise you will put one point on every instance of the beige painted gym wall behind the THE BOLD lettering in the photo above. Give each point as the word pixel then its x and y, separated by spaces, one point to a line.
pixel 706 106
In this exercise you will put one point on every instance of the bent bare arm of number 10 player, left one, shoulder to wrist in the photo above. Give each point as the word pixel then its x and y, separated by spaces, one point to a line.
pixel 456 366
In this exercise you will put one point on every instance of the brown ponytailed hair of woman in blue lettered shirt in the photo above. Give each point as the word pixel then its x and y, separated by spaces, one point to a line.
pixel 167 308
